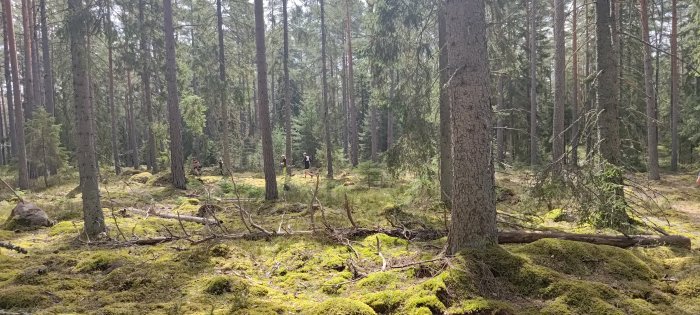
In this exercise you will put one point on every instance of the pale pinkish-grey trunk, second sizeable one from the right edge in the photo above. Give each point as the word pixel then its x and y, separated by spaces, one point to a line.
pixel 650 97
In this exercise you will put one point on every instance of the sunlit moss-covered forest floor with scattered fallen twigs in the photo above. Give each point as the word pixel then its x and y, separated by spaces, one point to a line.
pixel 323 274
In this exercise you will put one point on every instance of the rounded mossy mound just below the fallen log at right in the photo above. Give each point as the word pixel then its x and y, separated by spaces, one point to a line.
pixel 584 259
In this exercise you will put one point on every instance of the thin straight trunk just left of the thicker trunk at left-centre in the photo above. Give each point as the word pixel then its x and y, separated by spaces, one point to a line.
pixel 151 162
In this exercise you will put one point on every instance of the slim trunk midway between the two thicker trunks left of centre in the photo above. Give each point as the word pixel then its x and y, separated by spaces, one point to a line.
pixel 223 92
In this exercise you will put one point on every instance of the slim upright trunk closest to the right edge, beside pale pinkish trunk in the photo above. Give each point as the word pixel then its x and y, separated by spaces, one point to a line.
pixel 675 87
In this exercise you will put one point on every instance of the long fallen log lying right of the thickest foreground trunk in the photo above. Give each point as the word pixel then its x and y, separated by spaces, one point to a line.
pixel 521 237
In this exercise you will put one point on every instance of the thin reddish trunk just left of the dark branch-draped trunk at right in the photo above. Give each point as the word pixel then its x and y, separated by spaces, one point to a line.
pixel 575 88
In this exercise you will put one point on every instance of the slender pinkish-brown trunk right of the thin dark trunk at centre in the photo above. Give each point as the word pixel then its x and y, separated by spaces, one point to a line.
pixel 354 137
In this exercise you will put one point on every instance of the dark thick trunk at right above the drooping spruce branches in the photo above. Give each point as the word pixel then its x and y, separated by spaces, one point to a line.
pixel 609 141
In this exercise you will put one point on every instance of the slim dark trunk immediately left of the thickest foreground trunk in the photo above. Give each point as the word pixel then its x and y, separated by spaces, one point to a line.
pixel 445 110
